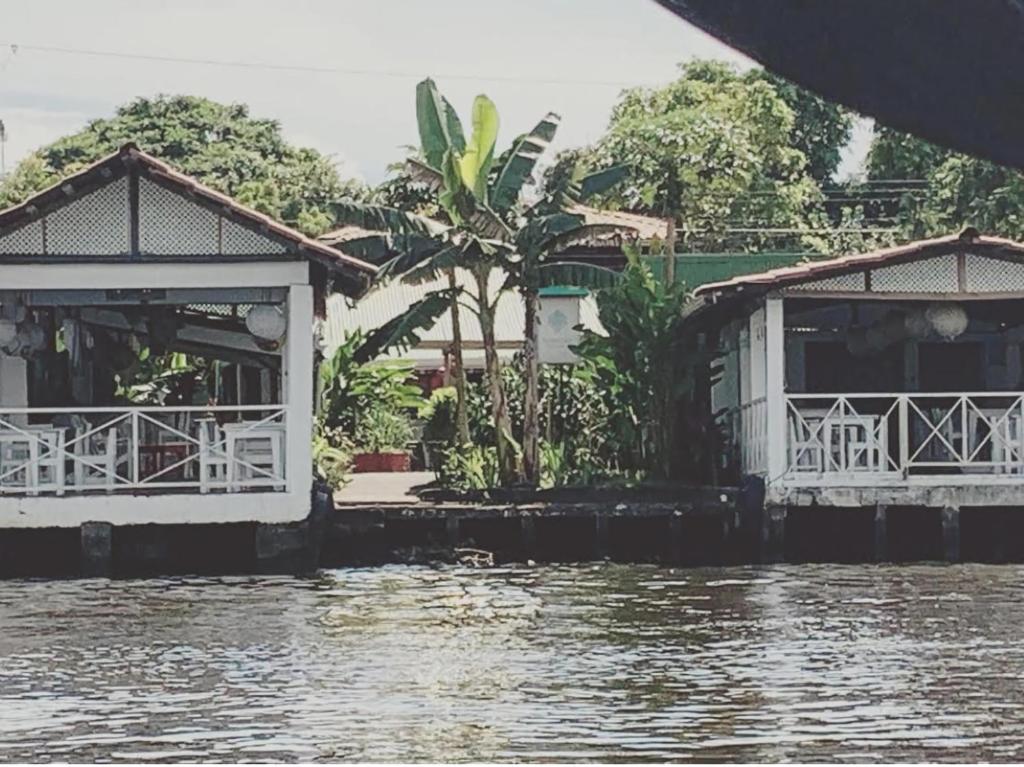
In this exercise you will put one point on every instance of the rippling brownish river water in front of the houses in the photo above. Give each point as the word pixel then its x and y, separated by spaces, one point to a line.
pixel 550 663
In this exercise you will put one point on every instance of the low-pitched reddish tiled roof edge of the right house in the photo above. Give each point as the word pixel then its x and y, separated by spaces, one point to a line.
pixel 968 241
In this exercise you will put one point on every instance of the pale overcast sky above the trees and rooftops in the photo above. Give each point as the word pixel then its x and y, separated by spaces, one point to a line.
pixel 347 70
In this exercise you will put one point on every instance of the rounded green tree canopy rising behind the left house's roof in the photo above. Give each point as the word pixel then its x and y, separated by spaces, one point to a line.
pixel 220 145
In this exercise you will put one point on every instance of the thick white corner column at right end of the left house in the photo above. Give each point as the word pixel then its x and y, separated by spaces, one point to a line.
pixel 298 390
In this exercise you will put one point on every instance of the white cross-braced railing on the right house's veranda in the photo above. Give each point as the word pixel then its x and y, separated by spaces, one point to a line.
pixel 905 436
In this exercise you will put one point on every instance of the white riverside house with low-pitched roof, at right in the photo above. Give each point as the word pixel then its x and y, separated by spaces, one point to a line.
pixel 892 377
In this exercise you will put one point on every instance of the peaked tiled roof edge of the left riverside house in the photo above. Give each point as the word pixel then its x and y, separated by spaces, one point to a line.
pixel 353 273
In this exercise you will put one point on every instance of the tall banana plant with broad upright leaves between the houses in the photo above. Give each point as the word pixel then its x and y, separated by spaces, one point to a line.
pixel 490 233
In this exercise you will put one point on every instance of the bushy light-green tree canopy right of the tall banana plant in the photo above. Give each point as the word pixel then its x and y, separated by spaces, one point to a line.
pixel 715 149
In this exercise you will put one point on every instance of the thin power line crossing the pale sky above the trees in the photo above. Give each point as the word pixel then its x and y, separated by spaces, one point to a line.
pixel 306 69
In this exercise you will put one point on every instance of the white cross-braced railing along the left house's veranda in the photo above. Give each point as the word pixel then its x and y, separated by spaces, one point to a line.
pixel 143 450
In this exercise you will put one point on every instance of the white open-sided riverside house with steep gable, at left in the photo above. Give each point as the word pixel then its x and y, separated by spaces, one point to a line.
pixel 127 254
